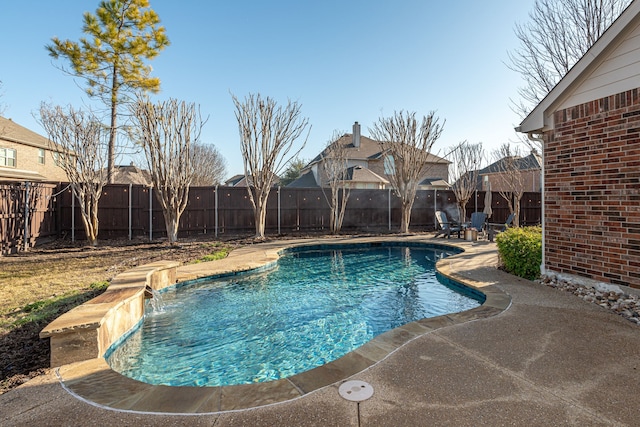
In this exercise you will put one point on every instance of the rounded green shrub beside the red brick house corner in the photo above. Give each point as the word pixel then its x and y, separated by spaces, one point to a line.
pixel 520 251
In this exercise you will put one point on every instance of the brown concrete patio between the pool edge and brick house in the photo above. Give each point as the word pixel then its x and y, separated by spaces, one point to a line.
pixel 548 359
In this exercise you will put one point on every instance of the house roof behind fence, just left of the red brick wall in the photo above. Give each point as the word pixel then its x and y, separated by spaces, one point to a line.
pixel 530 168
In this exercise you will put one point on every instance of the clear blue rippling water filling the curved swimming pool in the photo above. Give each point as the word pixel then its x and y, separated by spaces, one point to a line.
pixel 313 308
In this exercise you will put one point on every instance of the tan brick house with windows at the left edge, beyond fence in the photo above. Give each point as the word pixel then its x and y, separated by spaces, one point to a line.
pixel 25 155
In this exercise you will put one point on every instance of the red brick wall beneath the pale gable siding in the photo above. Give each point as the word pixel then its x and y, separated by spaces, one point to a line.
pixel 592 190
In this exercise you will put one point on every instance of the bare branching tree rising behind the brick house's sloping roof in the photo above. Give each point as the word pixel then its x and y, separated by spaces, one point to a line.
pixel 558 34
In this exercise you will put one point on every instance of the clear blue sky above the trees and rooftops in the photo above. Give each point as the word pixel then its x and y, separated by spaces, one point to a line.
pixel 342 60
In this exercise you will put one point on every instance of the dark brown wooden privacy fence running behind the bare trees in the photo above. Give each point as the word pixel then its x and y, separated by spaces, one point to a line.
pixel 133 211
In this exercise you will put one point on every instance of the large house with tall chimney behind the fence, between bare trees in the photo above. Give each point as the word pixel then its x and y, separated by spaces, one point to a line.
pixel 368 166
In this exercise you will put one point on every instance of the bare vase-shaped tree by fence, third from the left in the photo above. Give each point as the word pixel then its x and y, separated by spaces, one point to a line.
pixel 267 136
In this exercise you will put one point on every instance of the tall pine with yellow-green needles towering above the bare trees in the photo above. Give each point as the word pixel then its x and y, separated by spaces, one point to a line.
pixel 120 37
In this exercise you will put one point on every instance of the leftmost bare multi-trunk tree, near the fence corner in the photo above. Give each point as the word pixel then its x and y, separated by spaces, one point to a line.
pixel 80 146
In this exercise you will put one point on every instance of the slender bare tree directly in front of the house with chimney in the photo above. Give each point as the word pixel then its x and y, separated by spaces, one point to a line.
pixel 336 166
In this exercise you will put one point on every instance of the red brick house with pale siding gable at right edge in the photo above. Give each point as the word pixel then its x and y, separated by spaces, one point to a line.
pixel 590 126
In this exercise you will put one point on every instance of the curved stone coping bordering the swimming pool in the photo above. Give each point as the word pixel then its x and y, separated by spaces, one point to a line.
pixel 93 380
